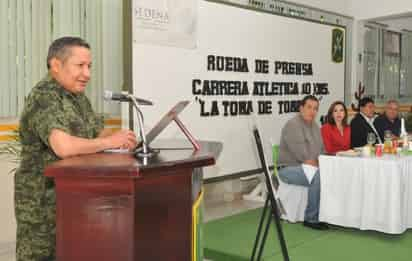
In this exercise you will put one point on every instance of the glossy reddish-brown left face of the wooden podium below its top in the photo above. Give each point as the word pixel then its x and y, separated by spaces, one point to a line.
pixel 94 219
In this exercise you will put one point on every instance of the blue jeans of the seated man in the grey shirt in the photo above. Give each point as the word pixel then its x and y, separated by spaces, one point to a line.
pixel 295 175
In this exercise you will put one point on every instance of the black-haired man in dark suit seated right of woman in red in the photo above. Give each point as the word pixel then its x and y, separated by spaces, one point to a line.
pixel 362 123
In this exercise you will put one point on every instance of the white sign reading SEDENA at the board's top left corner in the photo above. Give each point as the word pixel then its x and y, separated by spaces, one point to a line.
pixel 165 22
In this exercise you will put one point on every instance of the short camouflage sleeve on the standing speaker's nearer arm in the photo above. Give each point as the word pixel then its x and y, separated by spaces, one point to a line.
pixel 47 114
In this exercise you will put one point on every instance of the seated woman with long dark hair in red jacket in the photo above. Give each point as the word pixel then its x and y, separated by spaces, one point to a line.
pixel 336 131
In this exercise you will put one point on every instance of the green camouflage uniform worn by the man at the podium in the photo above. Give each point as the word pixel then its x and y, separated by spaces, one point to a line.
pixel 48 107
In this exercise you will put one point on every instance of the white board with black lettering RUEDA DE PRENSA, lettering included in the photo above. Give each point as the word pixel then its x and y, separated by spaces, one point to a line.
pixel 248 68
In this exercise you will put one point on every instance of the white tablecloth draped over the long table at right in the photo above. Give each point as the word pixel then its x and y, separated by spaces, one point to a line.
pixel 367 193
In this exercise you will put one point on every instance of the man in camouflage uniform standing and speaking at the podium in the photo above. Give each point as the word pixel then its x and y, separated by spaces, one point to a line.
pixel 57 122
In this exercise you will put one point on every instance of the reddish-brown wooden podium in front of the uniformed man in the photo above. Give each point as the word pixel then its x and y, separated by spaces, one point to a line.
pixel 115 207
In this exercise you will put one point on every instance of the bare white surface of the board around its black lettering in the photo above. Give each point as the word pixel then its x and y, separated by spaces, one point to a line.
pixel 274 43
